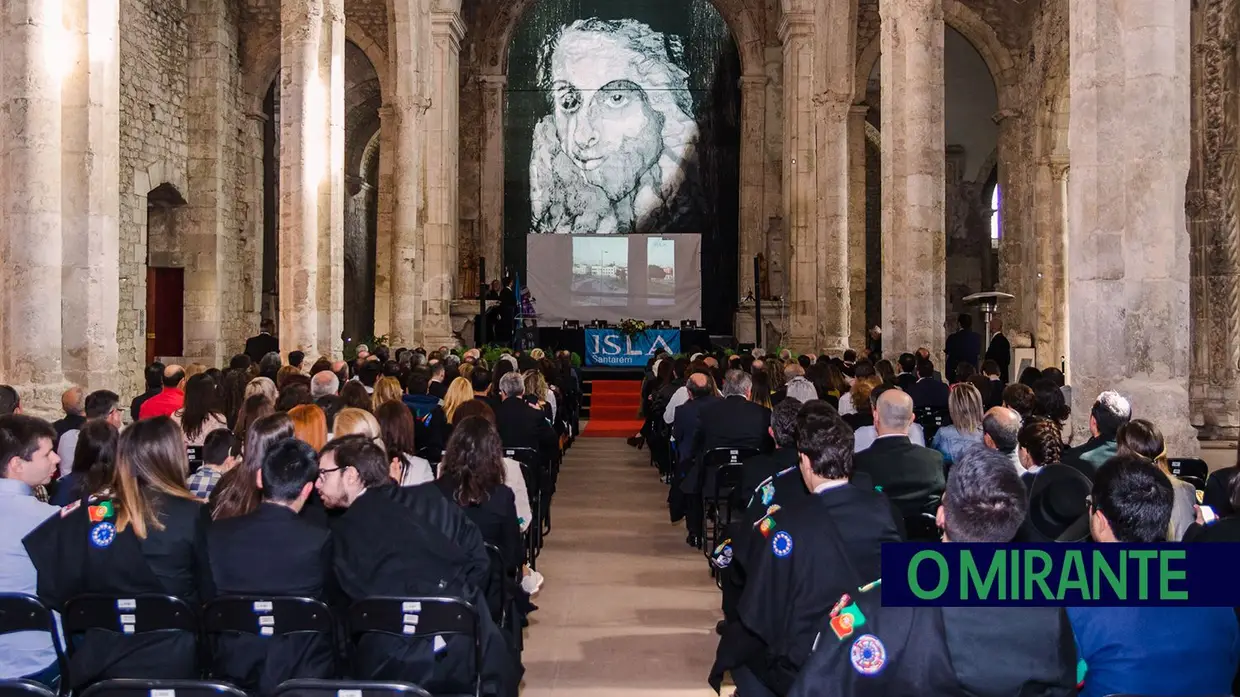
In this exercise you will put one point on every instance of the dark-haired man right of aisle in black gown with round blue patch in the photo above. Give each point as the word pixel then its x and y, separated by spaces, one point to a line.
pixel 795 575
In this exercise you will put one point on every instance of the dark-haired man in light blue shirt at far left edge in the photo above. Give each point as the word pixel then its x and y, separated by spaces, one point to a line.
pixel 27 462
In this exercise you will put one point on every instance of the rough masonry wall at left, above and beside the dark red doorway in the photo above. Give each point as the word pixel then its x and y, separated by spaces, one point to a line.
pixel 154 151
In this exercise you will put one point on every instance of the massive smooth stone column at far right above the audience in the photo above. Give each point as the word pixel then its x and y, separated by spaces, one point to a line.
pixel 1129 247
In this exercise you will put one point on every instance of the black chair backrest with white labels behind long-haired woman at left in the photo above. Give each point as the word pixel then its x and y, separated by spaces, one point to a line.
pixel 138 615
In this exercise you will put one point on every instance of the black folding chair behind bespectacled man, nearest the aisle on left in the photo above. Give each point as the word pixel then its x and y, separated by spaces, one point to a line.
pixel 420 617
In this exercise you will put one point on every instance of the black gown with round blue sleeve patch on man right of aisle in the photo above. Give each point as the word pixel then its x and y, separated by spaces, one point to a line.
pixel 797 575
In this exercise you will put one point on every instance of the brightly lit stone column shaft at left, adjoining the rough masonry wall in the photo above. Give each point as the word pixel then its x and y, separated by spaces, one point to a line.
pixel 91 195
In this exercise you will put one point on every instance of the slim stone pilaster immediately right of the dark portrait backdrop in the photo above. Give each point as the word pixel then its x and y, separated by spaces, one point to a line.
pixel 753 178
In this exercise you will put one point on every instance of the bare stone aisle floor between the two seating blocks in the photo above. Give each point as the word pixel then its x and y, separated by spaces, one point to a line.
pixel 628 608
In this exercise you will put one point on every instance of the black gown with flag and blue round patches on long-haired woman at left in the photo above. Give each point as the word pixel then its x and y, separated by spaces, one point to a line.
pixel 68 554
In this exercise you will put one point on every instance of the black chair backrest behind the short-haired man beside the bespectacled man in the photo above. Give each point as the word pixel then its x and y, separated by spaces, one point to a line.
pixel 267 616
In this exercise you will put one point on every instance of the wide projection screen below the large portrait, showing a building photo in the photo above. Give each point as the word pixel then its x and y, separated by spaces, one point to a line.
pixel 614 277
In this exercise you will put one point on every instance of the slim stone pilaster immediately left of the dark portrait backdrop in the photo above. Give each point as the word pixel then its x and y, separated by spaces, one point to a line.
pixel 492 208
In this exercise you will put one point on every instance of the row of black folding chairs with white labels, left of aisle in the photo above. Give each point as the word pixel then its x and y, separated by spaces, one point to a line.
pixel 416 618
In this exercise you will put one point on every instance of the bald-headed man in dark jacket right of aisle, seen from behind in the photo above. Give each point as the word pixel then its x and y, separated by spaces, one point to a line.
pixel 911 476
